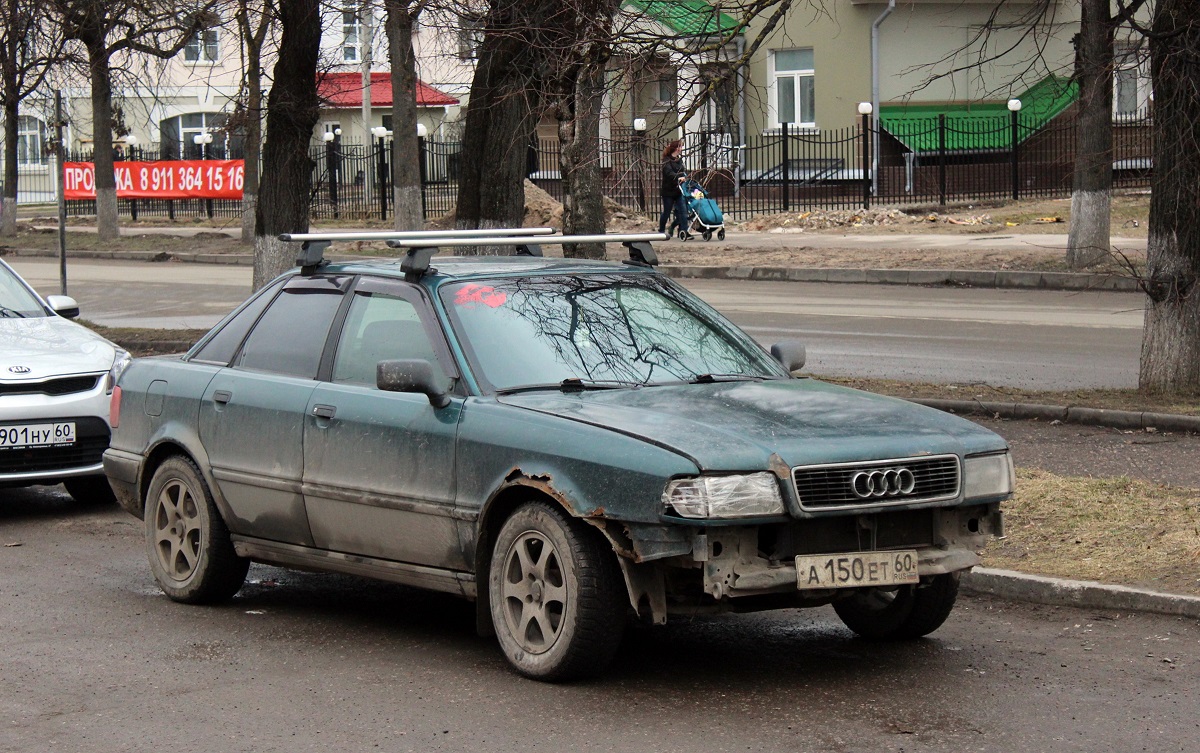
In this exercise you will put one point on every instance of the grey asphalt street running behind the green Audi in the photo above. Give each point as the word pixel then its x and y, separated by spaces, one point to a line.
pixel 1027 339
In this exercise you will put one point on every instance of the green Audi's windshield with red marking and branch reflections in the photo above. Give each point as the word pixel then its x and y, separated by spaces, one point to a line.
pixel 596 332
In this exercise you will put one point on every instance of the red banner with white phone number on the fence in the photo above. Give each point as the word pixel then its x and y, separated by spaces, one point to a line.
pixel 188 179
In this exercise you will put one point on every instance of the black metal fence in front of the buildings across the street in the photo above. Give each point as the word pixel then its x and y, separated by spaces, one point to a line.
pixel 916 164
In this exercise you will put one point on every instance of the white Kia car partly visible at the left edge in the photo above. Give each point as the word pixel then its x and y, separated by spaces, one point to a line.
pixel 57 381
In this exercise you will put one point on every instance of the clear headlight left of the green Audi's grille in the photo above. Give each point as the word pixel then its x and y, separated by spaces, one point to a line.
pixel 725 497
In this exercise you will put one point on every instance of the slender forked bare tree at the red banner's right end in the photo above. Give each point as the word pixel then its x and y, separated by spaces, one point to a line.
pixel 255 22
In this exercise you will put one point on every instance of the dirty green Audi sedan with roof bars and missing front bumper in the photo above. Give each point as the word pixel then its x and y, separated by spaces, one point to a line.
pixel 573 445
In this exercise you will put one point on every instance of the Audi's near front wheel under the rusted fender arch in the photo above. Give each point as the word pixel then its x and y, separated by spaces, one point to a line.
pixel 551 575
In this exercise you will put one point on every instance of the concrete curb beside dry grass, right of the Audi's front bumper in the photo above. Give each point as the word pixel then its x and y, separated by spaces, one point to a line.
pixel 1083 594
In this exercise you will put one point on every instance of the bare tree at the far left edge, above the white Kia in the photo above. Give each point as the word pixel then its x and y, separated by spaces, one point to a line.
pixel 29 46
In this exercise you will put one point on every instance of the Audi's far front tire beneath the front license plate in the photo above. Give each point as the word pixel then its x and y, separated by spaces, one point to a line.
pixel 910 612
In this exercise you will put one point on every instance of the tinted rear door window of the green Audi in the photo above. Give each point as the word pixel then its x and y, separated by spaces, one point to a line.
pixel 291 336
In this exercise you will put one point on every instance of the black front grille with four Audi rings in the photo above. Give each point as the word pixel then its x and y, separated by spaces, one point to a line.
pixel 831 487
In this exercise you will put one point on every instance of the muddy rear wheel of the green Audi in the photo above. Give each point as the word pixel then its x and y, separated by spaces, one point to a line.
pixel 191 555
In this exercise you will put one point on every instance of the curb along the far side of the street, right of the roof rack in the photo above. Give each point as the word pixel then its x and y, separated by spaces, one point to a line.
pixel 969 279
